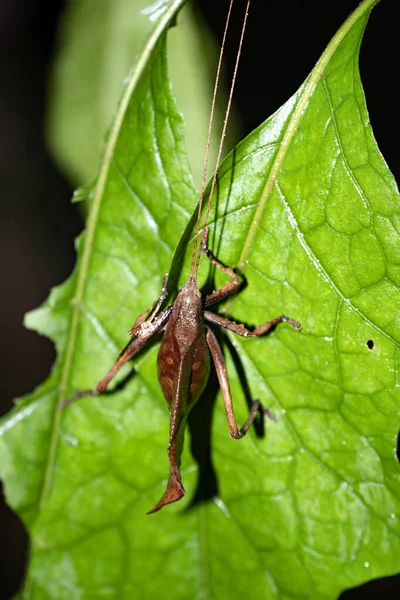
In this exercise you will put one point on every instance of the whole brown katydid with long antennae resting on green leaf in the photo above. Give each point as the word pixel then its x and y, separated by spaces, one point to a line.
pixel 188 341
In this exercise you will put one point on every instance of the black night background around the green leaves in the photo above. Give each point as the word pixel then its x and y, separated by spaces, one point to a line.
pixel 38 224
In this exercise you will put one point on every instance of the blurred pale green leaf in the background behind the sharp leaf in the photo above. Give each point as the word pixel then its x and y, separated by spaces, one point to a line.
pixel 96 45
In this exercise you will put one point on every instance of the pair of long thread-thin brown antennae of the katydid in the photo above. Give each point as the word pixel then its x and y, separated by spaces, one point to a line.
pixel 197 246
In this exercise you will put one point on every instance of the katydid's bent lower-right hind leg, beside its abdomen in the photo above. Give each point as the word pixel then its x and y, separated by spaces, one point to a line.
pixel 223 379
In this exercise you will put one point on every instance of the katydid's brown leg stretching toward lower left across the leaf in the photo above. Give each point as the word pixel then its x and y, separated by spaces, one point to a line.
pixel 146 331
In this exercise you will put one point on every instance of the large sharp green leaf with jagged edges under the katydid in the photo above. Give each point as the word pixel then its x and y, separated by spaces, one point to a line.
pixel 307 209
